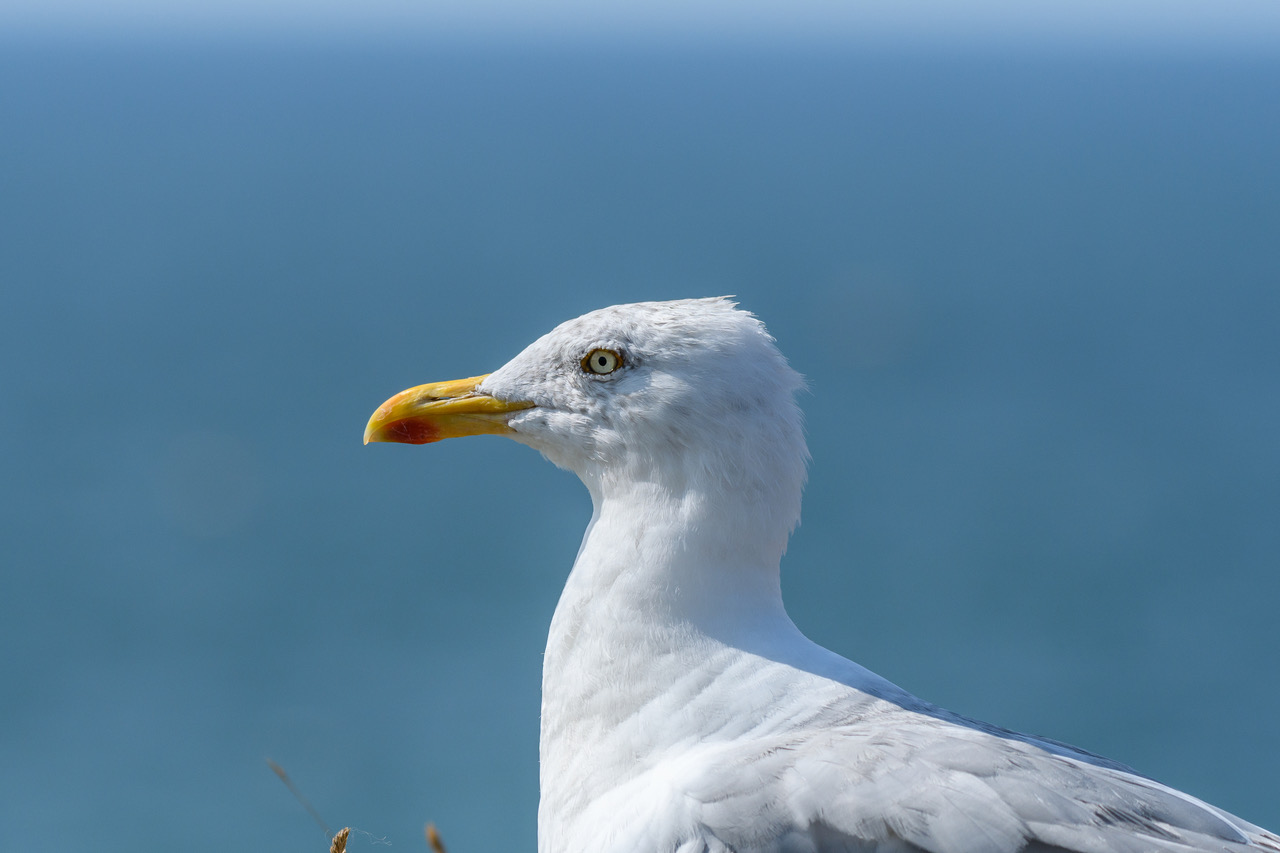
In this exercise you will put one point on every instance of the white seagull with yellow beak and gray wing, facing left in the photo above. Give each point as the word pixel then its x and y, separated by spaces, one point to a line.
pixel 683 710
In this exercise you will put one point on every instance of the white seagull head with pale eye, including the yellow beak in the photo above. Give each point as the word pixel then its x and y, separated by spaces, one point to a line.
pixel 691 395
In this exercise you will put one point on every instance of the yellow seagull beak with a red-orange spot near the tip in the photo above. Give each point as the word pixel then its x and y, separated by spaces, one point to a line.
pixel 441 410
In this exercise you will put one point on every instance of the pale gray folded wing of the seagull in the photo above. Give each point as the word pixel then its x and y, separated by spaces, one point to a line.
pixel 918 783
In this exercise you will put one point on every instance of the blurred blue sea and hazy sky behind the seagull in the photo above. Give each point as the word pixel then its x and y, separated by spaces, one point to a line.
pixel 1031 270
